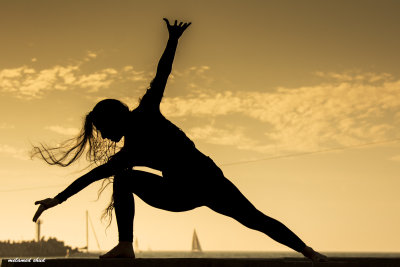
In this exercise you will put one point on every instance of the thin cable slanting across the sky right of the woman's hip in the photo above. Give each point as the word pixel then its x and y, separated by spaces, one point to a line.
pixel 310 152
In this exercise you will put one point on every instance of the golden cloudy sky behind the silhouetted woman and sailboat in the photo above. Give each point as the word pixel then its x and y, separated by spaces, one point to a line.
pixel 251 80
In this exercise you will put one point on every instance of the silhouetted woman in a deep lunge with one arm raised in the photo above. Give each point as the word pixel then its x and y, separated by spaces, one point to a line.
pixel 190 179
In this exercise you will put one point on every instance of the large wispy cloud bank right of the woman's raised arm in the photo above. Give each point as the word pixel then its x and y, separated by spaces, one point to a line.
pixel 348 110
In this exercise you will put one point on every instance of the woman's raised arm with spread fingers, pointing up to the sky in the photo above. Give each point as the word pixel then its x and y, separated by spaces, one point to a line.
pixel 155 93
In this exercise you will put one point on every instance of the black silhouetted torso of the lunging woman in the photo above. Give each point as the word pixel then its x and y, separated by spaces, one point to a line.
pixel 155 142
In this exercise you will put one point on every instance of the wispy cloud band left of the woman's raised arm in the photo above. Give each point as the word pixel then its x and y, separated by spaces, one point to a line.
pixel 28 82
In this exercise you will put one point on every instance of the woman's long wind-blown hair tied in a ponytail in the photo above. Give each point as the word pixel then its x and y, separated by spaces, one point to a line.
pixel 98 150
